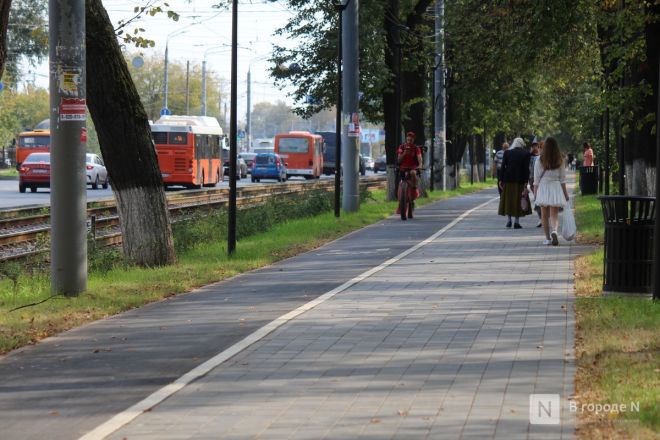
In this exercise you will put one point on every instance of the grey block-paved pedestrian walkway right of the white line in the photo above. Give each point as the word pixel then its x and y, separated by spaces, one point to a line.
pixel 448 341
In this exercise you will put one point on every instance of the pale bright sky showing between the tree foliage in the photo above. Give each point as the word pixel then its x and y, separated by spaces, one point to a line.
pixel 203 30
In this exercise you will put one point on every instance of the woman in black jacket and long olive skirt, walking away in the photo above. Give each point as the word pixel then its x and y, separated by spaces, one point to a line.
pixel 515 177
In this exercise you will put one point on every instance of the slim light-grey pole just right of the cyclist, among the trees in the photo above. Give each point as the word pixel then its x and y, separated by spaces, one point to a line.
pixel 440 174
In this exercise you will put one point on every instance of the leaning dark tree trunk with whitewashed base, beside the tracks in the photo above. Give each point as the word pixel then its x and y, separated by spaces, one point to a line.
pixel 125 140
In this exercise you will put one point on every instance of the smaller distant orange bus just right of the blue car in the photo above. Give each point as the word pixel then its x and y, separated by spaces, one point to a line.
pixel 303 153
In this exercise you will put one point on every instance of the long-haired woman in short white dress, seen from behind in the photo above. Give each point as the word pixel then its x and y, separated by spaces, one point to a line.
pixel 550 188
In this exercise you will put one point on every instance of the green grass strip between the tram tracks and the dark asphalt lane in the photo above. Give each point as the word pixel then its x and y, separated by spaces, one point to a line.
pixel 113 288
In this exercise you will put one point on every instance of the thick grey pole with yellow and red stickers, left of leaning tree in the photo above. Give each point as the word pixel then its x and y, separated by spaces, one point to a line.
pixel 67 121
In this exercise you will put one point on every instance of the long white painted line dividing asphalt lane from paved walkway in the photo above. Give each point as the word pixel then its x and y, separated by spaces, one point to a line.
pixel 128 415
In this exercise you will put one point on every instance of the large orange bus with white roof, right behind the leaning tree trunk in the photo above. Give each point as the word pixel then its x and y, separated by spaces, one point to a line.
pixel 189 150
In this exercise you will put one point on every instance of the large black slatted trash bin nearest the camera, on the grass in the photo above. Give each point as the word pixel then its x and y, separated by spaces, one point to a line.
pixel 629 223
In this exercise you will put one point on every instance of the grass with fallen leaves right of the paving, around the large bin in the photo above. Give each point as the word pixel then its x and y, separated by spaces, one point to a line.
pixel 617 346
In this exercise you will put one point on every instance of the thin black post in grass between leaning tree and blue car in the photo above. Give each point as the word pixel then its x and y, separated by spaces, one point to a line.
pixel 231 236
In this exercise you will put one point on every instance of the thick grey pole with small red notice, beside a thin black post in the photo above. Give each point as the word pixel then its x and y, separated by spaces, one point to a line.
pixel 351 142
